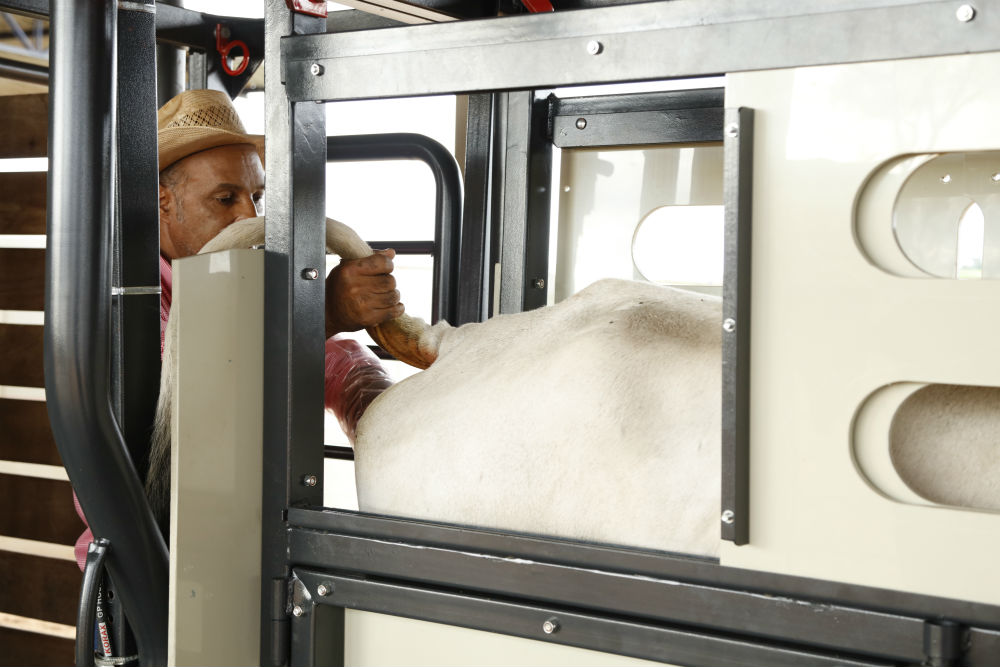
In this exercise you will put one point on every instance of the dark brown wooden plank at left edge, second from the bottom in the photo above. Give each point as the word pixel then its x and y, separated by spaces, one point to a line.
pixel 38 587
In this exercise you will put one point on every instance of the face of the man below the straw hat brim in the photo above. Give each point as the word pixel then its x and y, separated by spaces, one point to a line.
pixel 206 192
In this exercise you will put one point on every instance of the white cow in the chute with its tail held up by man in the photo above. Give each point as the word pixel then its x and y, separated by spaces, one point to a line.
pixel 596 419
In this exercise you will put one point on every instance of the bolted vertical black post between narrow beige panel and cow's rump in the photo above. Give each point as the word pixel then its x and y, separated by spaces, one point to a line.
pixel 294 323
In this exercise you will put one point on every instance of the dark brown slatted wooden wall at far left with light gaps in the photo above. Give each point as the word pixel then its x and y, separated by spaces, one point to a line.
pixel 39 579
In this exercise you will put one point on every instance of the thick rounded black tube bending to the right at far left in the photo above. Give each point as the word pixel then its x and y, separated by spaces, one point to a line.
pixel 77 305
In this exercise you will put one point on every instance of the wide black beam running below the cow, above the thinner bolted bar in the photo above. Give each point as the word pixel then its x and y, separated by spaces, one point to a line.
pixel 827 626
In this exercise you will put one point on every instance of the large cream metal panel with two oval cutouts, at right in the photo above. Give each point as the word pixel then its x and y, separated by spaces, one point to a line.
pixel 830 328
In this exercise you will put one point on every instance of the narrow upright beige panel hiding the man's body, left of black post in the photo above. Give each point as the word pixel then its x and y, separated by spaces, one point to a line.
pixel 215 501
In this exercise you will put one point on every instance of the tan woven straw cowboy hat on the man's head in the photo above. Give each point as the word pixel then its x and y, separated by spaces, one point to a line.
pixel 197 120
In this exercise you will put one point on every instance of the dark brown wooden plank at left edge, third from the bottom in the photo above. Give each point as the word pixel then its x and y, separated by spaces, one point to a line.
pixel 38 509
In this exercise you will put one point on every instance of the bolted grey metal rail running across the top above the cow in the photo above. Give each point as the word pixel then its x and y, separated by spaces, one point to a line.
pixel 635 42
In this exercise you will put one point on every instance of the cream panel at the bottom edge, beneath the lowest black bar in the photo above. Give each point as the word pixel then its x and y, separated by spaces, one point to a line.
pixel 379 639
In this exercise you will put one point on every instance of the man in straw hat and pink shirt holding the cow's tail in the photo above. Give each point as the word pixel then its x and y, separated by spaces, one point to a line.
pixel 212 175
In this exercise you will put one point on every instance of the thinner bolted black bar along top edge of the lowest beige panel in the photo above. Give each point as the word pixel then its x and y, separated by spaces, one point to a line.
pixel 560 625
